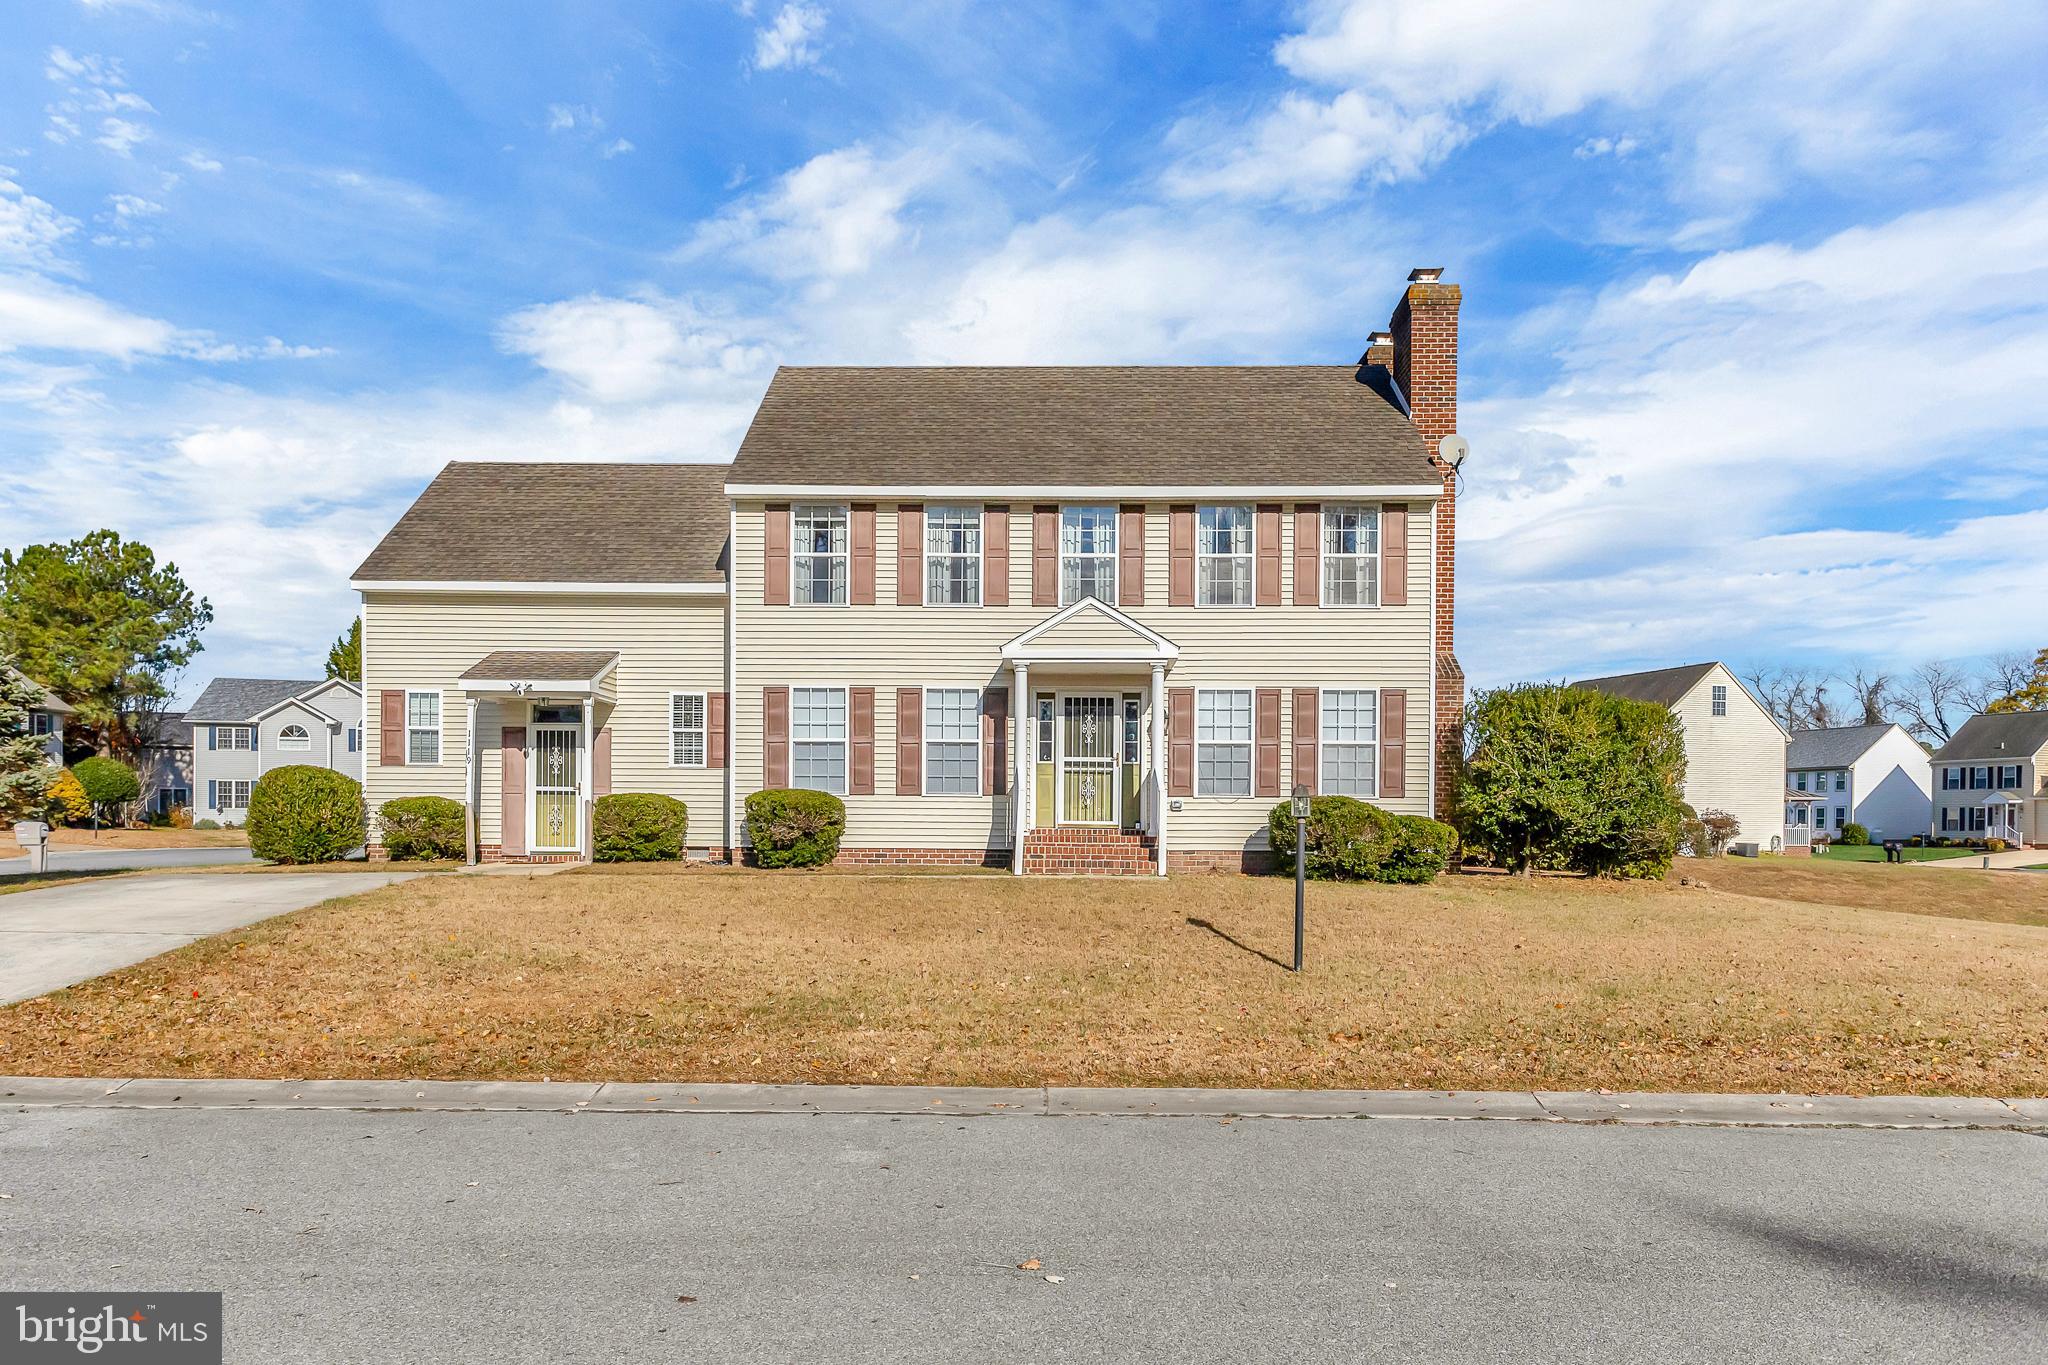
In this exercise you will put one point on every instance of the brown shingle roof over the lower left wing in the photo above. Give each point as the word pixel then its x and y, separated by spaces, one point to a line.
pixel 560 523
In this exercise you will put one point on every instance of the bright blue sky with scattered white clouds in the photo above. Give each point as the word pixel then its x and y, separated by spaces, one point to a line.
pixel 1756 328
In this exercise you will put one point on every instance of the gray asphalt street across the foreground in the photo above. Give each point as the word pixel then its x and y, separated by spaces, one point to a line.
pixel 724 1237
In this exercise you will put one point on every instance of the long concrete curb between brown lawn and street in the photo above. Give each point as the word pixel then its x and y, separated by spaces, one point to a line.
pixel 1035 1102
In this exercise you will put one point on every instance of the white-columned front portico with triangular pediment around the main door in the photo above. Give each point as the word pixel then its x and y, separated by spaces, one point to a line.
pixel 1089 703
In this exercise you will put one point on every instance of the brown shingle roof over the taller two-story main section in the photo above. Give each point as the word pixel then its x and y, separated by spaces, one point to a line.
pixel 1312 427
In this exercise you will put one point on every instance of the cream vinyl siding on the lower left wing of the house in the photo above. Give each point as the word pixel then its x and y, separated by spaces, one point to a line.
pixel 665 646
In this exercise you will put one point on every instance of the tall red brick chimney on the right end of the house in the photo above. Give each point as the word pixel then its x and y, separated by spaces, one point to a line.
pixel 1424 343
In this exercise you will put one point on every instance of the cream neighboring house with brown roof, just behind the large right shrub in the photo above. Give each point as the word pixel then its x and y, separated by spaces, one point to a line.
pixel 1736 750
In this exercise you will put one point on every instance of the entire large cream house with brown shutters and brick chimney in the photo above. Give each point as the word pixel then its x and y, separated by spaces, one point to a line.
pixel 1048 619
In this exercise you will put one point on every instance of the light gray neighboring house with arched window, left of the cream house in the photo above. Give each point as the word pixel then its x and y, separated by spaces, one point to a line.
pixel 243 728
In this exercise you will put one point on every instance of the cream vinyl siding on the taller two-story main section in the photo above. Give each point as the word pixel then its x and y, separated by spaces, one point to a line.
pixel 890 648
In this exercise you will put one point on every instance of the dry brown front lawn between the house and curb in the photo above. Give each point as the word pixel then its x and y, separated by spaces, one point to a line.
pixel 1752 983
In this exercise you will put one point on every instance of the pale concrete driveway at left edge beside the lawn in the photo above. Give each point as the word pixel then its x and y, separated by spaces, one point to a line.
pixel 81 930
